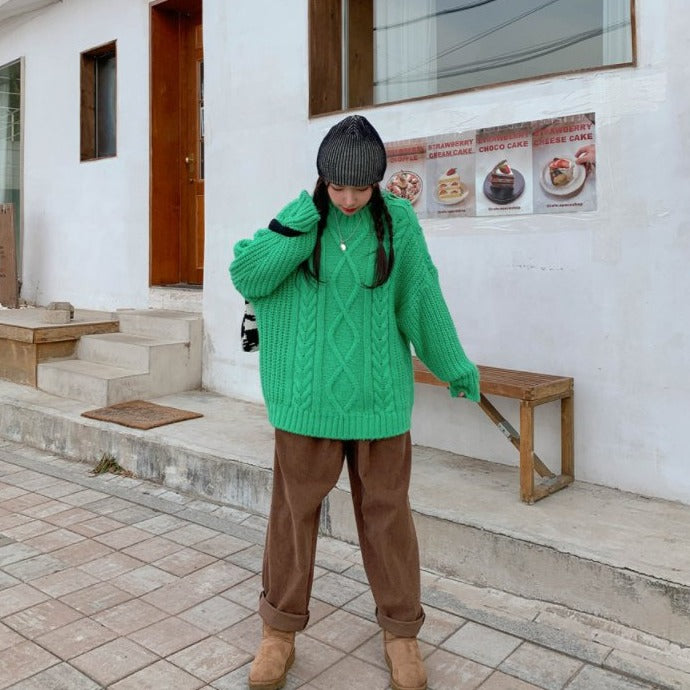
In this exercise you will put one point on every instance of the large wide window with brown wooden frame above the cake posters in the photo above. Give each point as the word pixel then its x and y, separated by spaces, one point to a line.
pixel 366 52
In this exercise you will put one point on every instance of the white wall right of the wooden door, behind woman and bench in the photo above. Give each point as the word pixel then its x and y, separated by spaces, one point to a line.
pixel 600 296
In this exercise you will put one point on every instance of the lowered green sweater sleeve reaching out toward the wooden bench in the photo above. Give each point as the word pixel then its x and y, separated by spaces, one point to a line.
pixel 423 316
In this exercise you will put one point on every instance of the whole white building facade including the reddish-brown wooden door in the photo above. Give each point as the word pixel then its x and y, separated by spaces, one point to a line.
pixel 599 295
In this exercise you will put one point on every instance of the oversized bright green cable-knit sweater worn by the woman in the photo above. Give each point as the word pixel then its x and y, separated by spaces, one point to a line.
pixel 335 357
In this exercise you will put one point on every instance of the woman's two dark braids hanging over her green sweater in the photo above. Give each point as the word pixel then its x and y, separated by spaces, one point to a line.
pixel 383 226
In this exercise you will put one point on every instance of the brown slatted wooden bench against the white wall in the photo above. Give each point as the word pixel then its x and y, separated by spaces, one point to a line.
pixel 531 390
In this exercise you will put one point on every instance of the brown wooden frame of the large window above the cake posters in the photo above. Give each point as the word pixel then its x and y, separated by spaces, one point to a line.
pixel 328 21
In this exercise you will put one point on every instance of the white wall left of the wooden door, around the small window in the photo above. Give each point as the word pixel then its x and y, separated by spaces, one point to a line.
pixel 86 225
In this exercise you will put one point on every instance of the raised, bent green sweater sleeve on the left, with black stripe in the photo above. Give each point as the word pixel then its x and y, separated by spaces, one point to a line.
pixel 263 262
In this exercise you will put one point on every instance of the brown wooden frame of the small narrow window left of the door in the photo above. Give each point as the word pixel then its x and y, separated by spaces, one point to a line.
pixel 89 61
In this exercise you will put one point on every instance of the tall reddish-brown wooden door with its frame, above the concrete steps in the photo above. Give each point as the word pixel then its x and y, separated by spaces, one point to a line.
pixel 177 143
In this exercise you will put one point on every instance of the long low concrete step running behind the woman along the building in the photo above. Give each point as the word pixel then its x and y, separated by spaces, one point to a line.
pixel 592 549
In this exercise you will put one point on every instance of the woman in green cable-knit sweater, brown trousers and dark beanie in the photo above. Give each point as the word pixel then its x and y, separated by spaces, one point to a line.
pixel 342 283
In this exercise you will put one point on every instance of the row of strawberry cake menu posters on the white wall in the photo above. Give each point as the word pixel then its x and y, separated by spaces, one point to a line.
pixel 544 166
